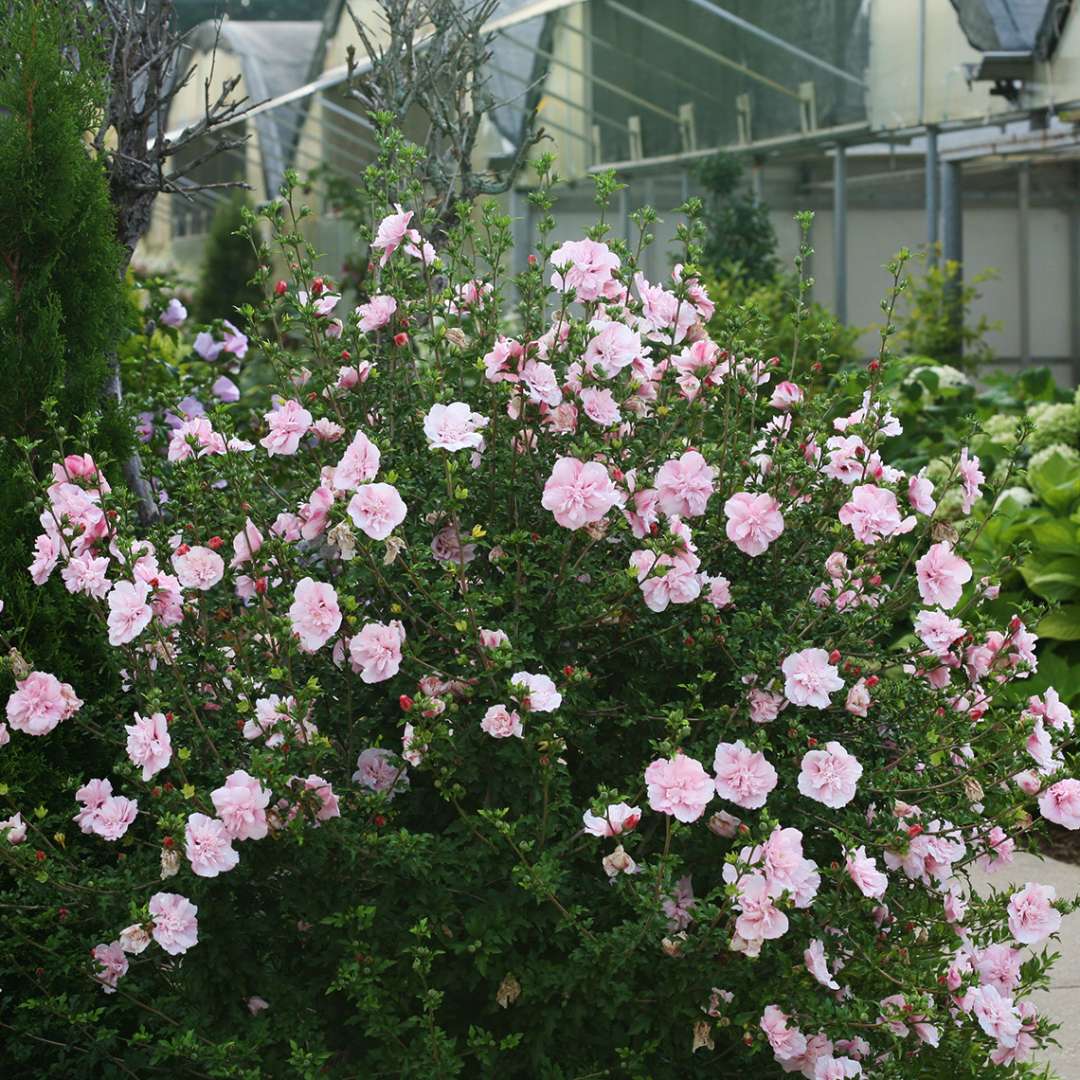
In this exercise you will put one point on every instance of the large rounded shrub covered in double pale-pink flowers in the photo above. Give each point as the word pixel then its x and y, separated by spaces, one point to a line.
pixel 571 696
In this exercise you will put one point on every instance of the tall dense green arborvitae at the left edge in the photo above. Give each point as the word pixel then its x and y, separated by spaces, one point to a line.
pixel 62 300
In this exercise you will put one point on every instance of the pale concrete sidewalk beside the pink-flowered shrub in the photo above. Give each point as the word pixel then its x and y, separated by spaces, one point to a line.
pixel 1062 1002
